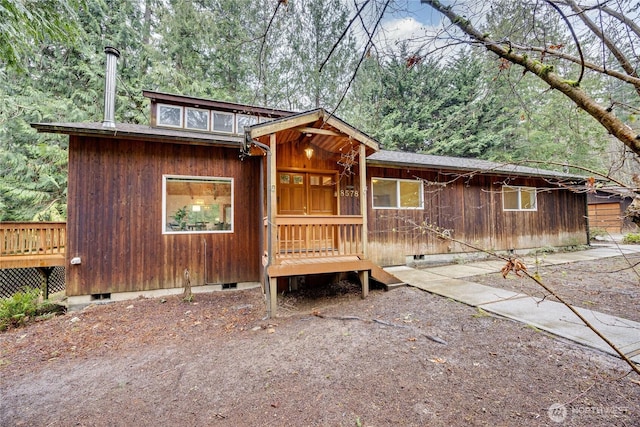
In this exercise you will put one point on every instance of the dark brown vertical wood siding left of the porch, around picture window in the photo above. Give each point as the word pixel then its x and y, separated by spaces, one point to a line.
pixel 115 209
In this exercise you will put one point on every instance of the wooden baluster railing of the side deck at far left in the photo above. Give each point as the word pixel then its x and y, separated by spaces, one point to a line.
pixel 32 238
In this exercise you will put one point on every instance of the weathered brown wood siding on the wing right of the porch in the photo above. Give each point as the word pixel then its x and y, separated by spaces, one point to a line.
pixel 470 209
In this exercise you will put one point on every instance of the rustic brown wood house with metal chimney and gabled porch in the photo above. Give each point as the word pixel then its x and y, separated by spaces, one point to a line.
pixel 238 195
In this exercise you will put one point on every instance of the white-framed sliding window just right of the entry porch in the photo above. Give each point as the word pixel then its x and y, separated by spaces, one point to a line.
pixel 396 193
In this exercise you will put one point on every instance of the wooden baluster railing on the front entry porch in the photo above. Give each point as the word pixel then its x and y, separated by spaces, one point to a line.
pixel 313 236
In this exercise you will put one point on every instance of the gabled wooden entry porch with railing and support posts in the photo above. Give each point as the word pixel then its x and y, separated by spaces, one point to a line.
pixel 316 209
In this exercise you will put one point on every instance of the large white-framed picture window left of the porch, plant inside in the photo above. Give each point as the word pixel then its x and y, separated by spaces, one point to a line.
pixel 197 204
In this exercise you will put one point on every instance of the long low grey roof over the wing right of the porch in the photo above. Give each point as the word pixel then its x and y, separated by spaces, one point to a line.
pixel 414 160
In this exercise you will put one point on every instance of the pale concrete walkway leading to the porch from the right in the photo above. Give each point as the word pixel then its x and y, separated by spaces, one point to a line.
pixel 550 316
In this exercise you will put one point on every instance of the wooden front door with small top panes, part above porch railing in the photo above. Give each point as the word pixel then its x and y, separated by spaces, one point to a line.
pixel 307 193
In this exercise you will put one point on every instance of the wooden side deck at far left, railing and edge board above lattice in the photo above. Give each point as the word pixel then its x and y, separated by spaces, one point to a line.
pixel 32 244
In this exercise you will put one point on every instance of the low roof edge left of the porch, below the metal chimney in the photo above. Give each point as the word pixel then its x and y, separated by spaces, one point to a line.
pixel 141 132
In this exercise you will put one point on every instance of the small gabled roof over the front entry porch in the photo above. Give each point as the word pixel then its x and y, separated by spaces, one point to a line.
pixel 321 129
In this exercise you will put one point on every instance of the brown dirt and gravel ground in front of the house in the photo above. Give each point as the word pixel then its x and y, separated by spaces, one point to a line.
pixel 398 358
